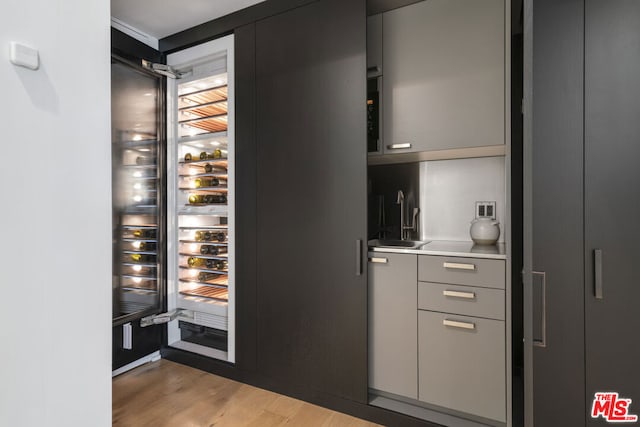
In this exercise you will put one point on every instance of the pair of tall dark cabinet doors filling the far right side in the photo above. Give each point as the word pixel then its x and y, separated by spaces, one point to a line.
pixel 586 104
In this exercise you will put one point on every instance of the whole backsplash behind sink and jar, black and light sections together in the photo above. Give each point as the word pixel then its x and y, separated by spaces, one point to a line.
pixel 445 191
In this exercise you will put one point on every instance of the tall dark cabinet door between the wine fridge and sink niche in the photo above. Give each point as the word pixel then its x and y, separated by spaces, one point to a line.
pixel 311 198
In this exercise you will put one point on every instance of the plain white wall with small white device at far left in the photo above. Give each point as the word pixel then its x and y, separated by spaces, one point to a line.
pixel 55 223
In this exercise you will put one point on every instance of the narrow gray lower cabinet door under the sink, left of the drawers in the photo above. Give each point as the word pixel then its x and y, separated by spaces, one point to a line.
pixel 393 323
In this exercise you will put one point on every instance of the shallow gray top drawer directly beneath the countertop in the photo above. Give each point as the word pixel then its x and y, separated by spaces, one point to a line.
pixel 487 273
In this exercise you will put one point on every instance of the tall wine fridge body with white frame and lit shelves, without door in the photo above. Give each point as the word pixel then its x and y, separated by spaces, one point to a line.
pixel 201 267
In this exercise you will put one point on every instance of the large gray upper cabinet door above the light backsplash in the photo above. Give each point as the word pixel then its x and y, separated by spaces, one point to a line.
pixel 444 75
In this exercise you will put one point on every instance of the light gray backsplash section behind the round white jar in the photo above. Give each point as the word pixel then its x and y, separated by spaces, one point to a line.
pixel 449 190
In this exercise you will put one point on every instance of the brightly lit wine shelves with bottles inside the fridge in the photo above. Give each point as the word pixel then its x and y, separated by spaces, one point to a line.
pixel 203 193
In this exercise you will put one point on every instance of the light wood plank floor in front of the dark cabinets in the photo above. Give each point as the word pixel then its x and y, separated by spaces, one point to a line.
pixel 164 393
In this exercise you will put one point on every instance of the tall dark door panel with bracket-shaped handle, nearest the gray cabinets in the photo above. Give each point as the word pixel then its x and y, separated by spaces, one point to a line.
pixel 558 210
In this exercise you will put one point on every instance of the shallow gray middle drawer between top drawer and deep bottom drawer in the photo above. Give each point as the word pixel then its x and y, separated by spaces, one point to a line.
pixel 465 300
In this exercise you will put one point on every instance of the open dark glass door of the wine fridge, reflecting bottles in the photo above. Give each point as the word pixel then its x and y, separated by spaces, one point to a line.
pixel 137 175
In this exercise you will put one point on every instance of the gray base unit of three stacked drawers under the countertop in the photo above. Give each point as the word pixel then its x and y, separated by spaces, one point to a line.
pixel 461 335
